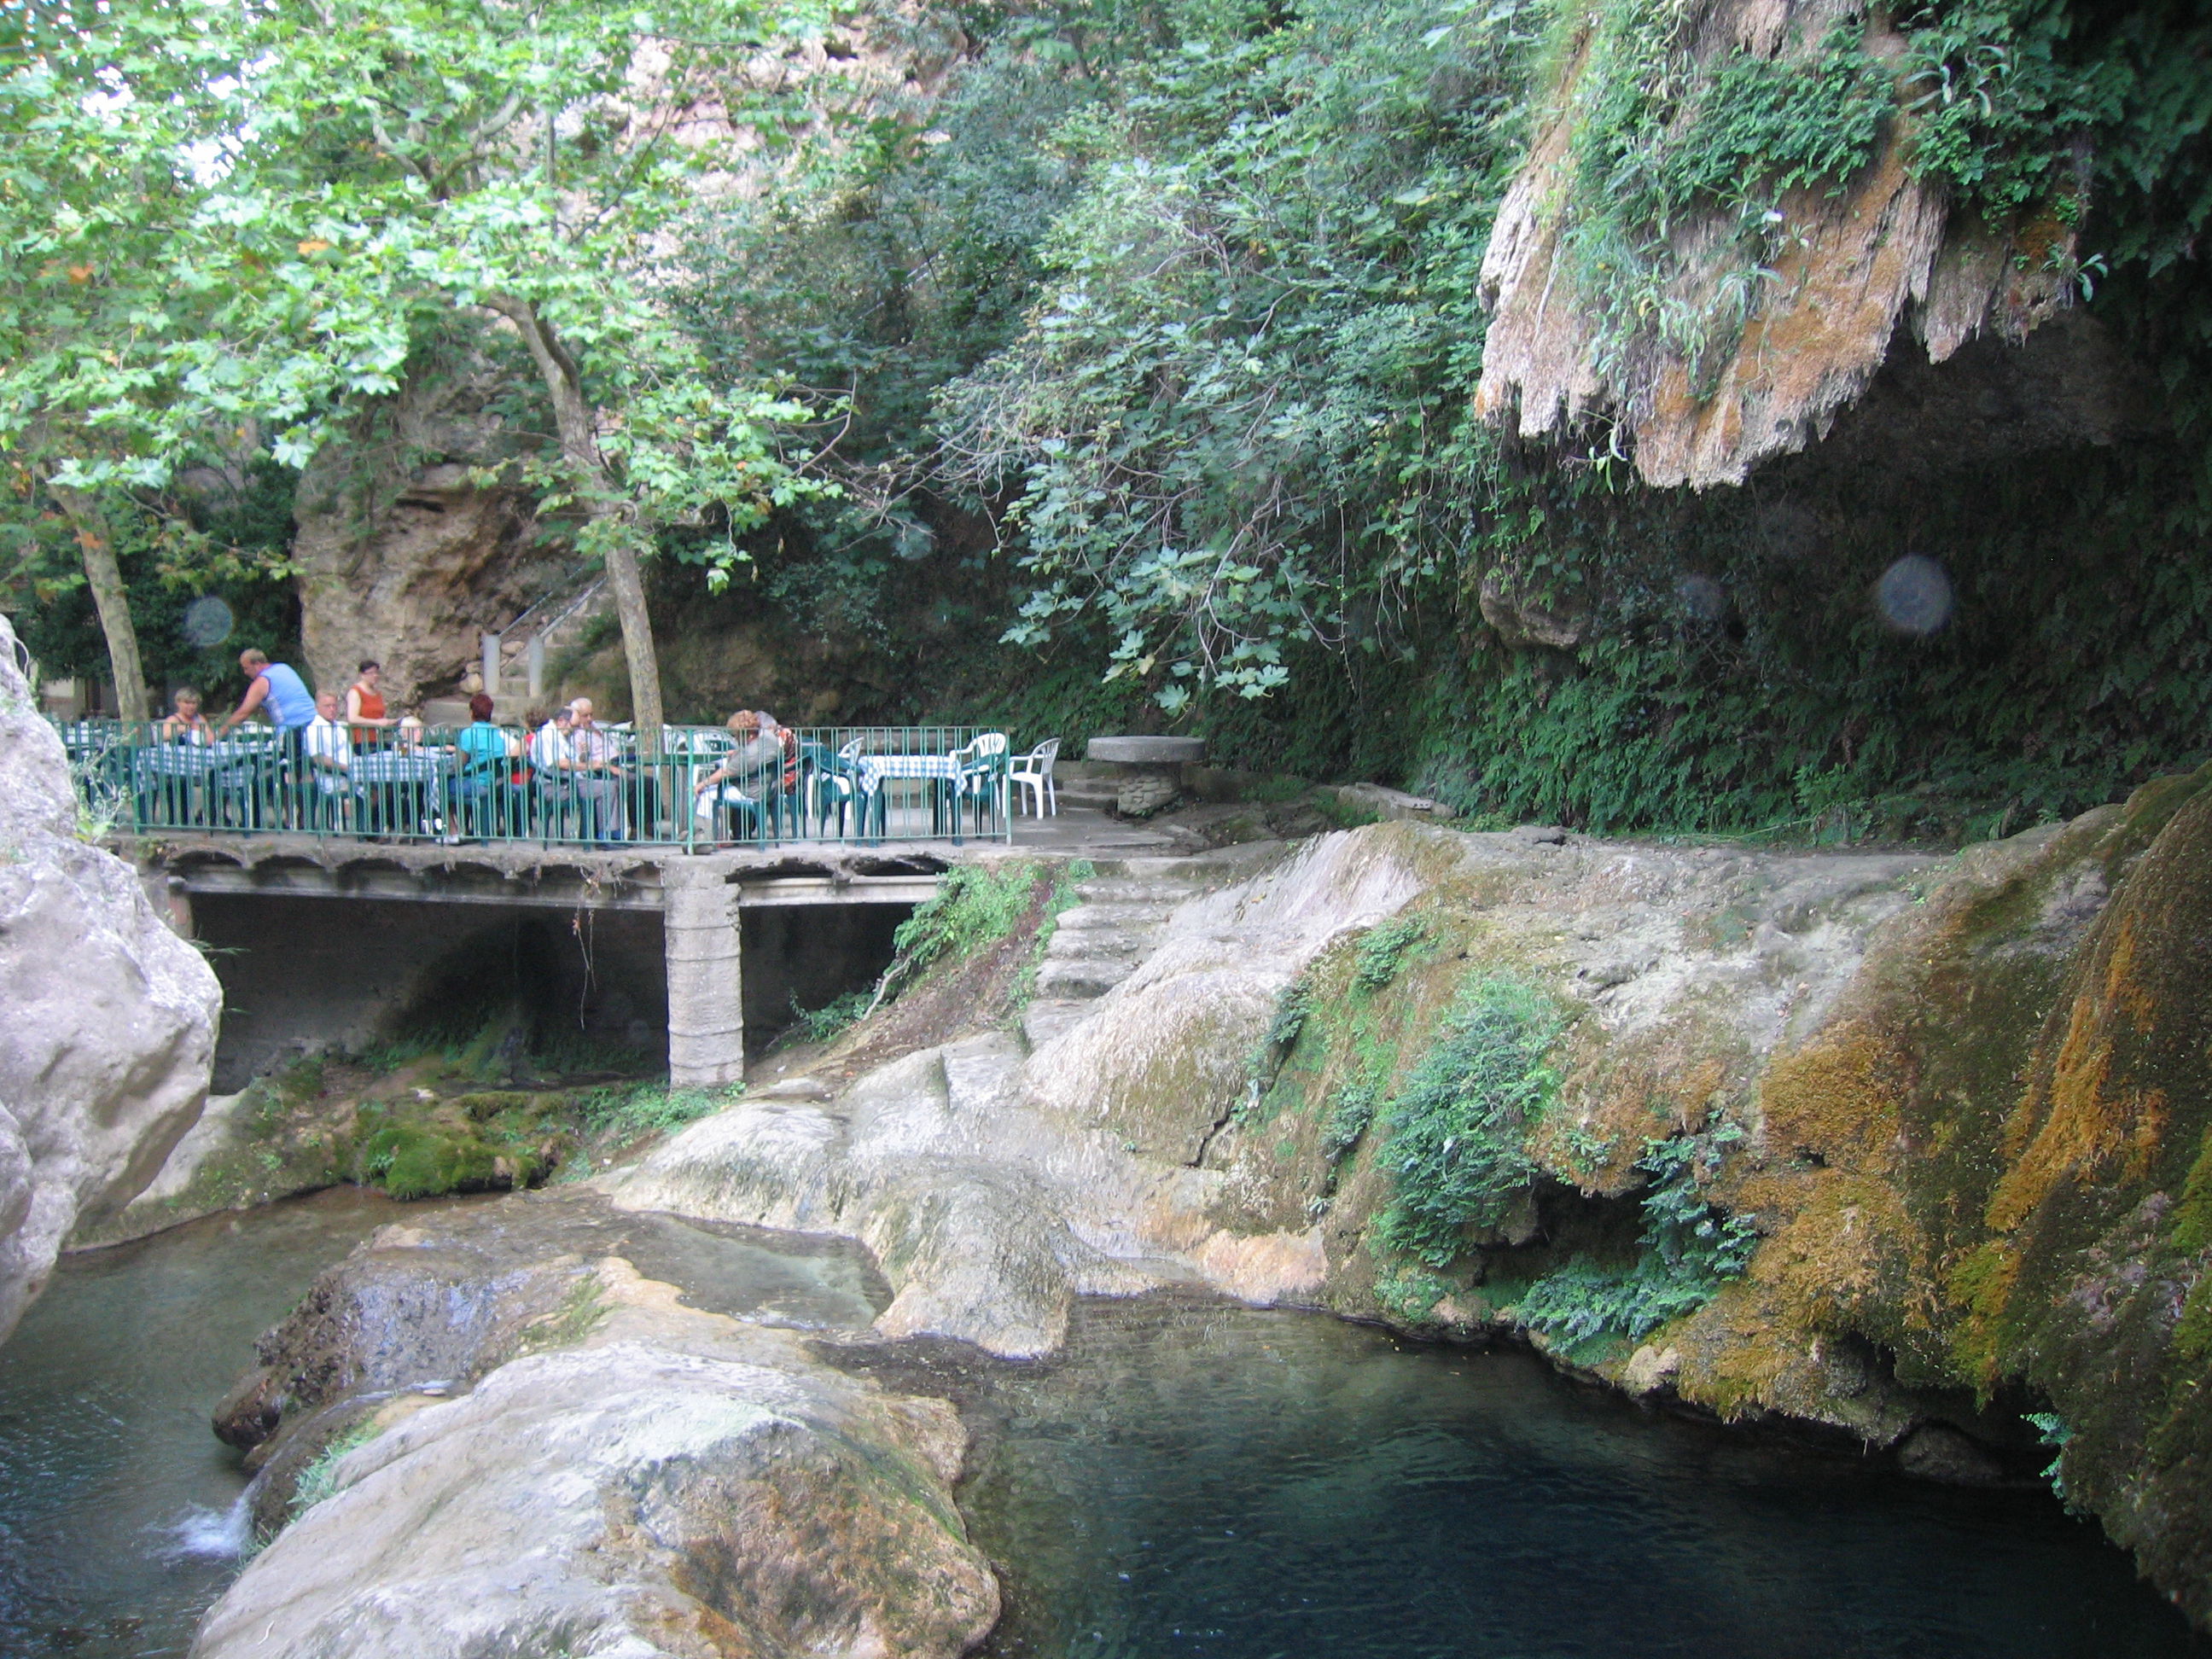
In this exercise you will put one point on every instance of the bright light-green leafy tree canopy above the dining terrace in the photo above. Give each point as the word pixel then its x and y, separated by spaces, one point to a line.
pixel 231 227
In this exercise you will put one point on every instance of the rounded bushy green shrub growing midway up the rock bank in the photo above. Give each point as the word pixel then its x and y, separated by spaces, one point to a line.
pixel 1463 1118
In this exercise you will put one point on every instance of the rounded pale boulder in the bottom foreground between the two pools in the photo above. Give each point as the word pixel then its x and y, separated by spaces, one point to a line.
pixel 616 1474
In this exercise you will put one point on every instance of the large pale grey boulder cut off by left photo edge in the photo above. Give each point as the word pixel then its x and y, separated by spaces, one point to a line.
pixel 109 1027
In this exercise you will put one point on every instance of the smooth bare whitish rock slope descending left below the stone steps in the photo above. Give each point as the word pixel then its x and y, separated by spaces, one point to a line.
pixel 997 1187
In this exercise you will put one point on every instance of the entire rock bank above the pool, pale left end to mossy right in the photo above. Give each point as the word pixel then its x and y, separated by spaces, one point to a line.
pixel 1954 1109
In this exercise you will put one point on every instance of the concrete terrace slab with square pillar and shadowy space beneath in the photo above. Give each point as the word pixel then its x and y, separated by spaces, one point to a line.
pixel 324 941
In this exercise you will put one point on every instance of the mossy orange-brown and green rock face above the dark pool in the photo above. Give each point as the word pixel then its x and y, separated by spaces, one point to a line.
pixel 1872 1149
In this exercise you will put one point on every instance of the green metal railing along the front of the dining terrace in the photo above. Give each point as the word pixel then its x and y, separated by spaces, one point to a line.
pixel 488 784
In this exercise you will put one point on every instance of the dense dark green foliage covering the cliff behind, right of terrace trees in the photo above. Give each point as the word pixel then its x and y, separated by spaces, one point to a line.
pixel 1154 333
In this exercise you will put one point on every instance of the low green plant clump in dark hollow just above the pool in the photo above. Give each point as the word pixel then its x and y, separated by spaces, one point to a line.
pixel 1687 1253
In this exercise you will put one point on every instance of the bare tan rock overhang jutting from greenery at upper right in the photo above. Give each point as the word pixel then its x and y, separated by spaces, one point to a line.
pixel 1853 273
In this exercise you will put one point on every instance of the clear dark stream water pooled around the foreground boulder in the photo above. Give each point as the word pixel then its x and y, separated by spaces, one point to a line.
pixel 1187 1481
